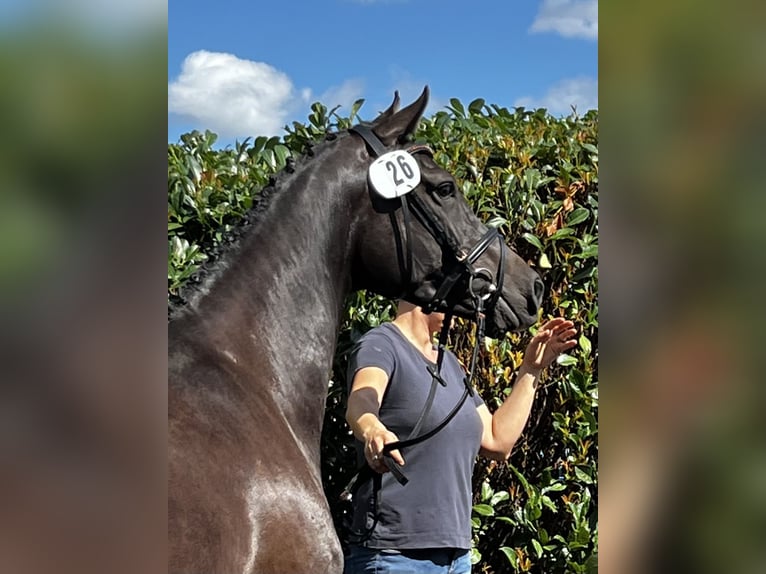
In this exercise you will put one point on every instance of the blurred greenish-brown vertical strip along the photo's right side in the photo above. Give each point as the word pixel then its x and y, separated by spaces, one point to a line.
pixel 682 466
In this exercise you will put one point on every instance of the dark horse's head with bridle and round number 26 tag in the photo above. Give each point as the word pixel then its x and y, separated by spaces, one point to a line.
pixel 421 241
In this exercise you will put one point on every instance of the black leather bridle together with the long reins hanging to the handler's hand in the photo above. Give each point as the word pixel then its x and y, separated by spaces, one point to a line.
pixel 462 267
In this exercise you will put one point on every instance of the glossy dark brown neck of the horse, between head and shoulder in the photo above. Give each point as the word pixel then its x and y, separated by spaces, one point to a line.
pixel 280 299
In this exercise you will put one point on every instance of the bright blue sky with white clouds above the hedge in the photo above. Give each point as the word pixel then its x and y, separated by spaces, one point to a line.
pixel 243 69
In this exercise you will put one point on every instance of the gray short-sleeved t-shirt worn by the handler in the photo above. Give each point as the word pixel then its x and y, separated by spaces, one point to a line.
pixel 433 510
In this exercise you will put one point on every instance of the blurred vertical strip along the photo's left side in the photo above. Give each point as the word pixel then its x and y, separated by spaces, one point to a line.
pixel 82 274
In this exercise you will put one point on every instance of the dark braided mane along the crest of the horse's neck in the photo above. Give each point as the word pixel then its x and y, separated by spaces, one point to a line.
pixel 220 254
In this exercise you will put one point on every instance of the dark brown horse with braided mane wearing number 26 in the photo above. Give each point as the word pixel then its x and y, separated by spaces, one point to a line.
pixel 249 357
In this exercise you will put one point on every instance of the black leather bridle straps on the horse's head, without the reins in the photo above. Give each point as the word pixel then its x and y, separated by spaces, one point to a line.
pixel 462 260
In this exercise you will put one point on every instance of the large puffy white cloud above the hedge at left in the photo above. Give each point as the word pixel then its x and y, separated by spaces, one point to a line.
pixel 231 96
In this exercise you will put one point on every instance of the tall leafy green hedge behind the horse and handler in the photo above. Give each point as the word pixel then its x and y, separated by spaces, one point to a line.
pixel 534 176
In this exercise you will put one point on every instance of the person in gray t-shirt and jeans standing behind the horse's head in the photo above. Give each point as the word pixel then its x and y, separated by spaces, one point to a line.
pixel 425 525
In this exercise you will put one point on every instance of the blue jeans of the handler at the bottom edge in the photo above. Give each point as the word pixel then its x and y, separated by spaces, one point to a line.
pixel 426 561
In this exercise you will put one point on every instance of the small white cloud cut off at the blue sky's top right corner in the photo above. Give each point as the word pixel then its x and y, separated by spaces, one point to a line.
pixel 570 18
